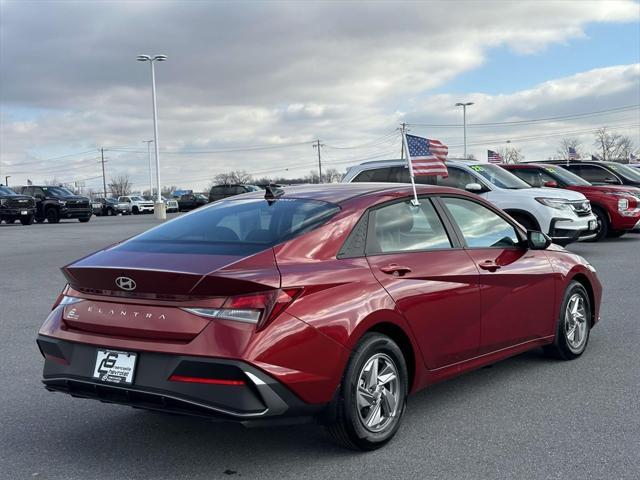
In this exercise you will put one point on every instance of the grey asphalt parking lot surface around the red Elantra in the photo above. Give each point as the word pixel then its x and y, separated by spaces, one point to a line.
pixel 528 417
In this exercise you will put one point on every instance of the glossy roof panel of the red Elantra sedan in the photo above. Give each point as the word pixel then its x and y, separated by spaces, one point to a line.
pixel 342 192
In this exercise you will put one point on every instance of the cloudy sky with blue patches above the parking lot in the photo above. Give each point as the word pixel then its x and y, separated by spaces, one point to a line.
pixel 250 85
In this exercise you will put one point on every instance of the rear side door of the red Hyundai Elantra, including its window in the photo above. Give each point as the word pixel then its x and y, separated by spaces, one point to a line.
pixel 432 280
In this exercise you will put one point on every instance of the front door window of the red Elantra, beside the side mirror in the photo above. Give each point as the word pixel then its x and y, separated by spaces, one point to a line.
pixel 481 227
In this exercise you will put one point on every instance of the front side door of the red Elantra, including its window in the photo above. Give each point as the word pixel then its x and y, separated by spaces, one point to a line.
pixel 517 284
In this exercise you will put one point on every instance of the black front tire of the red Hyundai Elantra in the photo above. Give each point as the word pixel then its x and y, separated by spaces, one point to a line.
pixel 562 347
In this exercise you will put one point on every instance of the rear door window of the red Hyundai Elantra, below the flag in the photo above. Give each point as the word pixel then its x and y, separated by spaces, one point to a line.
pixel 401 227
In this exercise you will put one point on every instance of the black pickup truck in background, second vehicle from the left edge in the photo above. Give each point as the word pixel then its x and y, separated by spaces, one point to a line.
pixel 55 203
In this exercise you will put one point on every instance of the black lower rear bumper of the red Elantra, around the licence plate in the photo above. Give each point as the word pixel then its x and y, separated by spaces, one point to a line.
pixel 255 398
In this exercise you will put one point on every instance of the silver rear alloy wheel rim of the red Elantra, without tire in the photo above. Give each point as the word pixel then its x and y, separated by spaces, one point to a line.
pixel 378 393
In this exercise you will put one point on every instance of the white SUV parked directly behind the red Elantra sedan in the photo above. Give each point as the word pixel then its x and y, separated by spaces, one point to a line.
pixel 563 214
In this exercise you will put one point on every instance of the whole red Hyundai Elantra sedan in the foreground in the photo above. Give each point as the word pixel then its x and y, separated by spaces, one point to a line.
pixel 325 301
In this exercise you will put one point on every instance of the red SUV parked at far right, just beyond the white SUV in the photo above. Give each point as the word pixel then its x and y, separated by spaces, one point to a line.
pixel 616 207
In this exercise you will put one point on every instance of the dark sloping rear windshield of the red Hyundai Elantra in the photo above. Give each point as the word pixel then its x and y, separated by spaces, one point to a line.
pixel 235 227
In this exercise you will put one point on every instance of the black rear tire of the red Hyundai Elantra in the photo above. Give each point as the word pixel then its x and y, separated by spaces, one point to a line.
pixel 346 426
